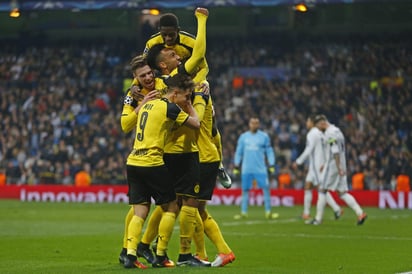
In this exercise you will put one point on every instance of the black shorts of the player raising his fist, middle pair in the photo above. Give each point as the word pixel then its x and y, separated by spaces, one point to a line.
pixel 184 168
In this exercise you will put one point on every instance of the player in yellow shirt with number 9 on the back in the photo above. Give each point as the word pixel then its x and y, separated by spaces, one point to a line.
pixel 147 175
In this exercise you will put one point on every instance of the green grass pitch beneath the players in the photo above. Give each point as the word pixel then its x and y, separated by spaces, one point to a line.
pixel 86 238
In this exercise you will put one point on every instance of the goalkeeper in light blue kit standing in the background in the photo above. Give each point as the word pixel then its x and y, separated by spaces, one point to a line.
pixel 255 155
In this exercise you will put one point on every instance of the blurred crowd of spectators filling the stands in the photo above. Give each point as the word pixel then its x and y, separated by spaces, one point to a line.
pixel 60 104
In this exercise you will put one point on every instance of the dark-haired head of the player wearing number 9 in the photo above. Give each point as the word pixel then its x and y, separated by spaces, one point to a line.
pixel 179 88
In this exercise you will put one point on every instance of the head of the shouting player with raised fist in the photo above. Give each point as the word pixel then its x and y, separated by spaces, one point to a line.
pixel 163 59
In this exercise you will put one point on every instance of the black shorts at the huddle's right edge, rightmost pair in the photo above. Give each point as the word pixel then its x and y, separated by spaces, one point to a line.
pixel 208 176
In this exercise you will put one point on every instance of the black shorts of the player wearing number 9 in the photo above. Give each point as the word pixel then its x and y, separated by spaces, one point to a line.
pixel 150 182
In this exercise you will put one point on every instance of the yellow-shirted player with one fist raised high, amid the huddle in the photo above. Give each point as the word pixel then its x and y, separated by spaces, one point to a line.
pixel 181 152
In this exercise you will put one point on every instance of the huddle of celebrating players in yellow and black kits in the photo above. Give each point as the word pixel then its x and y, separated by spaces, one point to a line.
pixel 176 156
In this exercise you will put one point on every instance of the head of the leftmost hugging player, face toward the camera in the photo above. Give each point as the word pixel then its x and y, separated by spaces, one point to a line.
pixel 142 72
